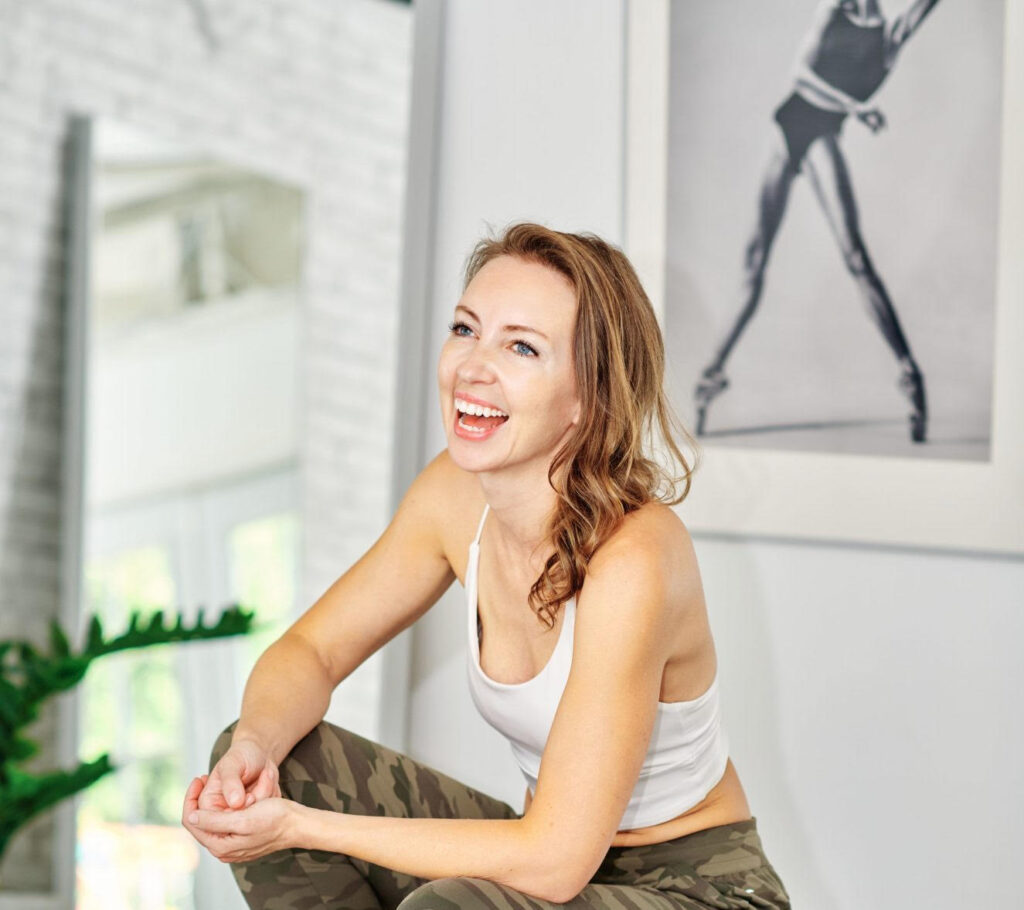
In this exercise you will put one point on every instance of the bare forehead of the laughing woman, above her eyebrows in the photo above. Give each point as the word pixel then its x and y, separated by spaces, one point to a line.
pixel 519 291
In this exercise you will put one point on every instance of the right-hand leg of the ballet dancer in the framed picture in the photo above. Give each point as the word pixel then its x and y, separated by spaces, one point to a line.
pixel 830 177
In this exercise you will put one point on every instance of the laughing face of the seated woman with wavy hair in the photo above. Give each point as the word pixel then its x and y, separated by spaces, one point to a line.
pixel 510 352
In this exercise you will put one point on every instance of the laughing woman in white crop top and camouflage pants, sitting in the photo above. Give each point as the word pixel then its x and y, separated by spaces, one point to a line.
pixel 589 640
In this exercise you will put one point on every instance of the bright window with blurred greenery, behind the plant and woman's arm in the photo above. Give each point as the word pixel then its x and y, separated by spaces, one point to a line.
pixel 158 710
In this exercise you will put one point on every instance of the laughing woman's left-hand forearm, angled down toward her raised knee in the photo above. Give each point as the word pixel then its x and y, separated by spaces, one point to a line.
pixel 286 697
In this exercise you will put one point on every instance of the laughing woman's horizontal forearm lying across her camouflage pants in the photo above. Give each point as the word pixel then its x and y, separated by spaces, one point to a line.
pixel 500 850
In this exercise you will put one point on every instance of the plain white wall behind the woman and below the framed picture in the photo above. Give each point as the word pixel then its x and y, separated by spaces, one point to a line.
pixel 871 695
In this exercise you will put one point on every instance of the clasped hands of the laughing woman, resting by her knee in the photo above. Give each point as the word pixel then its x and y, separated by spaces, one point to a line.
pixel 237 811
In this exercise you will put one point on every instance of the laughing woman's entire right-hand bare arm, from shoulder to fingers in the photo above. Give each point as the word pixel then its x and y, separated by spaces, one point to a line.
pixel 596 748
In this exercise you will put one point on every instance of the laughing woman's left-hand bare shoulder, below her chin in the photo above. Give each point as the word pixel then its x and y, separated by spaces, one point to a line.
pixel 450 502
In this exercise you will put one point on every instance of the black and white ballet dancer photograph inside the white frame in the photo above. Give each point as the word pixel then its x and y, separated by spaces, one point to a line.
pixel 832 215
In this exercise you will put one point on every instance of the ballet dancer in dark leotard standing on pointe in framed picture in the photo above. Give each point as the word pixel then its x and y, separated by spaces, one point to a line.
pixel 848 54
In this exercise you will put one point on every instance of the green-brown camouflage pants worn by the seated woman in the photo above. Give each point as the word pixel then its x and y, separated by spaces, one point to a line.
pixel 334 769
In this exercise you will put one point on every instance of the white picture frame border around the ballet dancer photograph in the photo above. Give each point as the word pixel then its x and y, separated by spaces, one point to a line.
pixel 931 504
